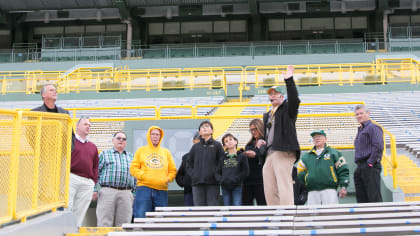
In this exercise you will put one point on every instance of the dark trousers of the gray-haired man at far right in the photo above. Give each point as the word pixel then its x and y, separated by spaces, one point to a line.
pixel 367 181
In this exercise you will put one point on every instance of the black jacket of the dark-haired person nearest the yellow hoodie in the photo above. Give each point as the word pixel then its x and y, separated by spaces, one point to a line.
pixel 203 162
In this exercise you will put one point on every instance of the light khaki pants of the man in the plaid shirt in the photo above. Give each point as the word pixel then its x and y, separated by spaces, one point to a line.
pixel 114 208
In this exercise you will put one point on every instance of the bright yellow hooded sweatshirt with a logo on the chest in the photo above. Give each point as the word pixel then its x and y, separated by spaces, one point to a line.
pixel 153 166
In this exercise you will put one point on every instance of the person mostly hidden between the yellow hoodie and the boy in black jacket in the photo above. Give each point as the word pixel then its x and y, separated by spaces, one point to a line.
pixel 183 179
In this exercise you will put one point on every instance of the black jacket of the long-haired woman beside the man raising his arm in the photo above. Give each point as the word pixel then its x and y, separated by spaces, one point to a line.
pixel 255 165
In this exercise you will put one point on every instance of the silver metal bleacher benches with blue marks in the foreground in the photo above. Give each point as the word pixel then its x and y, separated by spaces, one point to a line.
pixel 343 219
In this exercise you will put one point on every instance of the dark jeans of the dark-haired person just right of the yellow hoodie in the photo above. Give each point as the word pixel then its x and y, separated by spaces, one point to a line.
pixel 206 195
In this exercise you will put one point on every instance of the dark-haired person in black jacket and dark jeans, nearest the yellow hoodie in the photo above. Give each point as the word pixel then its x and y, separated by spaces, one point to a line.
pixel 202 166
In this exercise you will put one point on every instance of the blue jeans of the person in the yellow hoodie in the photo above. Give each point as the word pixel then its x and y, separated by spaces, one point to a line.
pixel 147 199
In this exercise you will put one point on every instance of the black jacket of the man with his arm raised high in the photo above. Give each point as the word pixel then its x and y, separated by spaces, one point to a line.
pixel 285 138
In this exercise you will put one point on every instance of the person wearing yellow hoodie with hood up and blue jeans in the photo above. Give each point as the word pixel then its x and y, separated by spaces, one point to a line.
pixel 154 168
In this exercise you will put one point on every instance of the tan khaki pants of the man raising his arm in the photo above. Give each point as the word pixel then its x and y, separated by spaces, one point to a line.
pixel 277 176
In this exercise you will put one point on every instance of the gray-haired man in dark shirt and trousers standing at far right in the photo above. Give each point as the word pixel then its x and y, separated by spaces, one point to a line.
pixel 368 149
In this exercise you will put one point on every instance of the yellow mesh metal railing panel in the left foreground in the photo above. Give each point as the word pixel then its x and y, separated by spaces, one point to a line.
pixel 35 154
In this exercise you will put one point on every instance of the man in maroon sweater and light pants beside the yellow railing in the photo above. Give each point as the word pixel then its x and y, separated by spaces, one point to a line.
pixel 84 171
